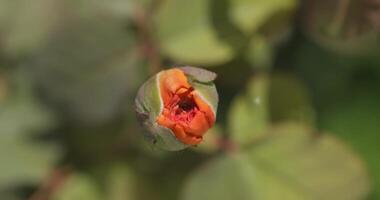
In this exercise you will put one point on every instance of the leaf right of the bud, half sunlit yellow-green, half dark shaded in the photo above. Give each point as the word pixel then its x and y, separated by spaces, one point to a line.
pixel 278 98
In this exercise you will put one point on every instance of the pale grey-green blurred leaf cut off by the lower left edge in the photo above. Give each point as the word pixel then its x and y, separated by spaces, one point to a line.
pixel 24 159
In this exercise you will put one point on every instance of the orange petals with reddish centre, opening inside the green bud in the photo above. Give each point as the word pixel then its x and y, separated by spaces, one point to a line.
pixel 184 111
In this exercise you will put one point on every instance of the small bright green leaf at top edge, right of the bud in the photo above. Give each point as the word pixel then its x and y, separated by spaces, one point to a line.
pixel 250 15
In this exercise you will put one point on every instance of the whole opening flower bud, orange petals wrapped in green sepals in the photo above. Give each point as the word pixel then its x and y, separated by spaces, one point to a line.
pixel 178 106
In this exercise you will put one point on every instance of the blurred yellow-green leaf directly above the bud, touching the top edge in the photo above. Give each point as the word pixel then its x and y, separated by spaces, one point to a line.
pixel 185 33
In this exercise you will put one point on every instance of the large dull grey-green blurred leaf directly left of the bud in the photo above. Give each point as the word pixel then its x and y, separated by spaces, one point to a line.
pixel 88 88
